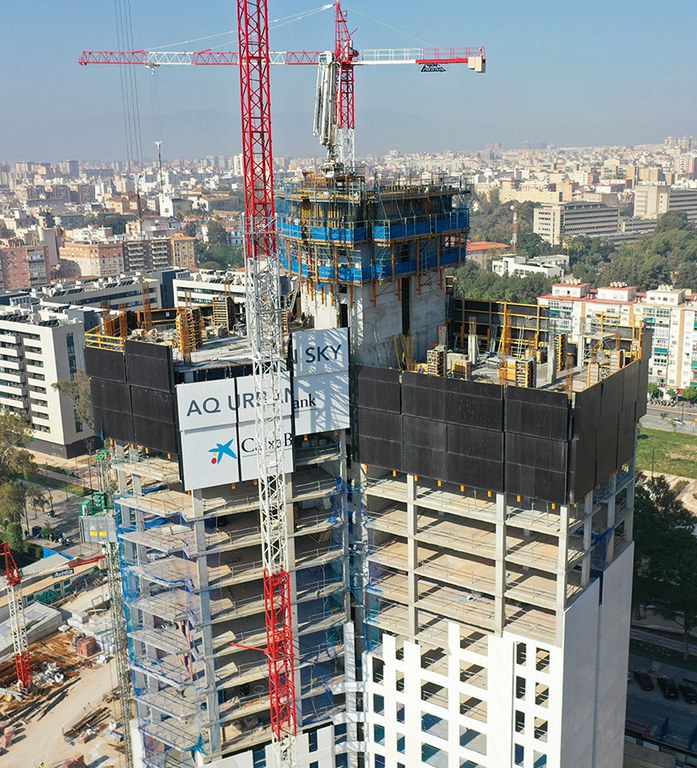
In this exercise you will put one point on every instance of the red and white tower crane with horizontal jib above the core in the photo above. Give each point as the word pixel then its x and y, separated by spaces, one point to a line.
pixel 335 114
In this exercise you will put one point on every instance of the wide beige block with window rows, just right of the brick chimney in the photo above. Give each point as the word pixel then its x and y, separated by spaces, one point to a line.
pixel 554 223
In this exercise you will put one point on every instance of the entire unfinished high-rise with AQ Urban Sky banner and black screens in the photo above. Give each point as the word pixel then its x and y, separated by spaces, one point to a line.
pixel 460 490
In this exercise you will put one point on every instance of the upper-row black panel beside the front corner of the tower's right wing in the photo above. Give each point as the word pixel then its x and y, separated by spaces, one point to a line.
pixel 537 413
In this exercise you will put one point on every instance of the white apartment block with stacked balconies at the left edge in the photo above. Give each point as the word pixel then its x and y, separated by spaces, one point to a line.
pixel 38 349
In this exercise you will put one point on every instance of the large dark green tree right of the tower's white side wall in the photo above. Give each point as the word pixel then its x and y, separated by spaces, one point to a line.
pixel 666 554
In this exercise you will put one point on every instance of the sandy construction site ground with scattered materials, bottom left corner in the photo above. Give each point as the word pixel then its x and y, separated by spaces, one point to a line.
pixel 39 723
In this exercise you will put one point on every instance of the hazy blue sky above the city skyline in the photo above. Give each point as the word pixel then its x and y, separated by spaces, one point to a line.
pixel 589 73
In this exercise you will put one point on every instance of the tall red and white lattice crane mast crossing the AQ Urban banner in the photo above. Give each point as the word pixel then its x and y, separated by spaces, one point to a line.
pixel 266 339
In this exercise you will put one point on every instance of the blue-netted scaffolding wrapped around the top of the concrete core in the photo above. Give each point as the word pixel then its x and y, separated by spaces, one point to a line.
pixel 335 230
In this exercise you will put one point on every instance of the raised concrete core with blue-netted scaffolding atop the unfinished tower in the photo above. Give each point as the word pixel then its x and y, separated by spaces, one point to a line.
pixel 373 257
